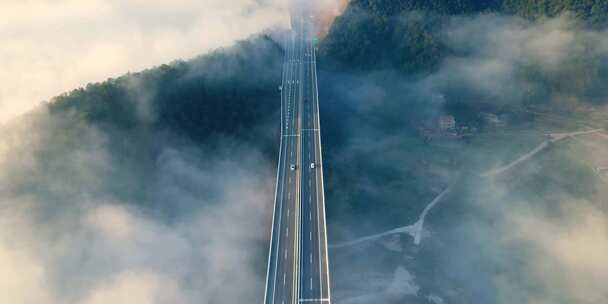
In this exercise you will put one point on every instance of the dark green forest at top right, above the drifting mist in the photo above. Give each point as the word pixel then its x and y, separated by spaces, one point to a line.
pixel 374 34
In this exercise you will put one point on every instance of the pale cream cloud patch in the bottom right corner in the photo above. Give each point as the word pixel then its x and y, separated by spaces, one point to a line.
pixel 568 251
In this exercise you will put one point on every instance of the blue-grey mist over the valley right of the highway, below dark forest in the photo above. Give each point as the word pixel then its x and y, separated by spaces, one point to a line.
pixel 533 235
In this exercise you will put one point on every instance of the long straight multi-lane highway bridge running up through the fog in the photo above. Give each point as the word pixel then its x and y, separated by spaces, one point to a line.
pixel 298 270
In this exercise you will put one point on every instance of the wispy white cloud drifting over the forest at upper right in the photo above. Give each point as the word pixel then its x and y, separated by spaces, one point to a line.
pixel 505 60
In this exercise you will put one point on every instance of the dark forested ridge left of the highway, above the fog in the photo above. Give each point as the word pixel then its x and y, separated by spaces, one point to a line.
pixel 214 95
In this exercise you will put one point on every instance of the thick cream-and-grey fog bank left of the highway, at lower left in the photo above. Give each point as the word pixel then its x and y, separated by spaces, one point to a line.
pixel 70 234
